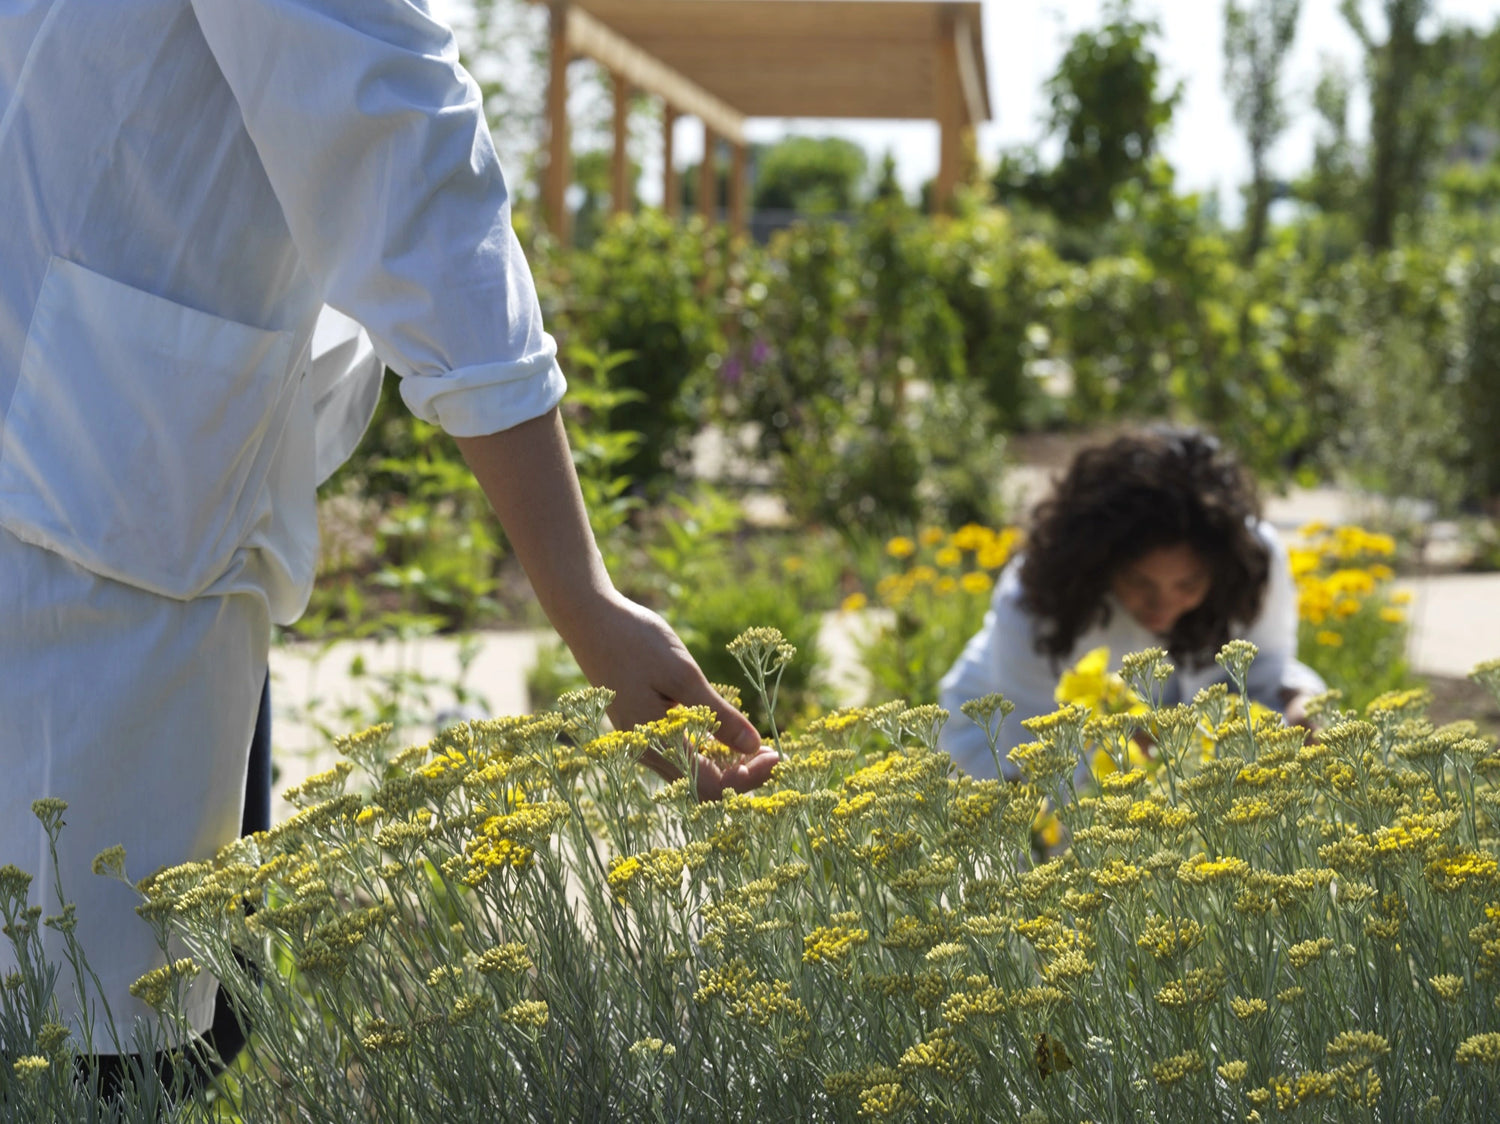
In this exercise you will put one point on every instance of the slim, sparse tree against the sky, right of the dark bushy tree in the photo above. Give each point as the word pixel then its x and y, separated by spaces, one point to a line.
pixel 1258 35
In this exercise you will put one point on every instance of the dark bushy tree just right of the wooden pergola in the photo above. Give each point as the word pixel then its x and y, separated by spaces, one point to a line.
pixel 1111 110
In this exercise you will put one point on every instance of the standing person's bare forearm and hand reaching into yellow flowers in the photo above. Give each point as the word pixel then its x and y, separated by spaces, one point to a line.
pixel 527 473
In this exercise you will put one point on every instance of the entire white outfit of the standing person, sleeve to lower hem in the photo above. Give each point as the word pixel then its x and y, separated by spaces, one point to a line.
pixel 188 190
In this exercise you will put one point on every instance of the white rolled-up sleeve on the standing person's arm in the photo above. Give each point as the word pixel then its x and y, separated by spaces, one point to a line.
pixel 376 143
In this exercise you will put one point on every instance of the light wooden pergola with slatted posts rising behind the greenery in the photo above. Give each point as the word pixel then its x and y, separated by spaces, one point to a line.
pixel 725 61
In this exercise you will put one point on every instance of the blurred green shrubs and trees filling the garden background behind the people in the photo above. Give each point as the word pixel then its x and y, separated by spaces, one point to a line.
pixel 743 404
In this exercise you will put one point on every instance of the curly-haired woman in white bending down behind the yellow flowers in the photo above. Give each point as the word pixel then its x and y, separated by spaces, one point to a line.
pixel 1153 539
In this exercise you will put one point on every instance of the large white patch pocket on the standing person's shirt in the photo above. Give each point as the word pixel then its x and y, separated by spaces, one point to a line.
pixel 137 440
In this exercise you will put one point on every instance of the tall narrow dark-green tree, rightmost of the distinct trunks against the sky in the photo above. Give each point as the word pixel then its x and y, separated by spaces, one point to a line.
pixel 1402 112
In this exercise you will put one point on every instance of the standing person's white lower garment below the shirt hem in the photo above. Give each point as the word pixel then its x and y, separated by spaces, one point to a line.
pixel 139 712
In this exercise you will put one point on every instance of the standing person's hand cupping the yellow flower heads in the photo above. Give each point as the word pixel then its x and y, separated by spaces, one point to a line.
pixel 635 654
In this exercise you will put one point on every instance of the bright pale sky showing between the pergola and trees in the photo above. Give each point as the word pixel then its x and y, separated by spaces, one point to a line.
pixel 1025 40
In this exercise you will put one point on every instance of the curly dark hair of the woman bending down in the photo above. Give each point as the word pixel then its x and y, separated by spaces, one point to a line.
pixel 1120 502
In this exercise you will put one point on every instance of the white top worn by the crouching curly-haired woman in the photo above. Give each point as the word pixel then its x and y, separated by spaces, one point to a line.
pixel 1003 658
